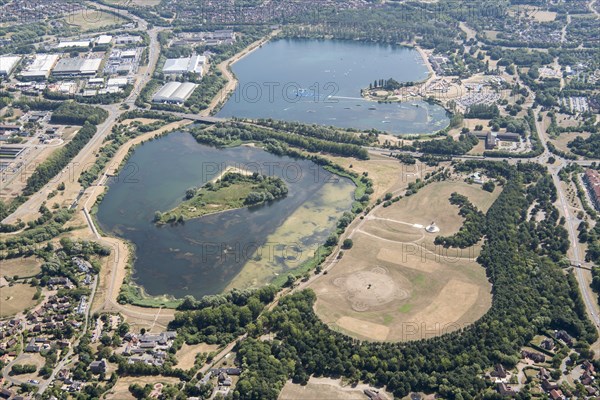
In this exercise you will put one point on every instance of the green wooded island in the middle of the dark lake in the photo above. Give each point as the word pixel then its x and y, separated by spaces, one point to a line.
pixel 234 188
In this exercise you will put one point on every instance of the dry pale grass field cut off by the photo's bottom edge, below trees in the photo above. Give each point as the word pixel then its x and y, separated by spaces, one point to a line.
pixel 325 388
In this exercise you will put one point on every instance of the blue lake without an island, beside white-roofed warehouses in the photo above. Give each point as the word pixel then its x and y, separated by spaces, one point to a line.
pixel 319 81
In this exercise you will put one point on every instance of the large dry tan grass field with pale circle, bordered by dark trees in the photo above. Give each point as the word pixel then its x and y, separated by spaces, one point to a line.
pixel 395 284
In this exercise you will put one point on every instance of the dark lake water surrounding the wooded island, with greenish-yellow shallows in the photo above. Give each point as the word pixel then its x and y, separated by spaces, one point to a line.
pixel 238 248
